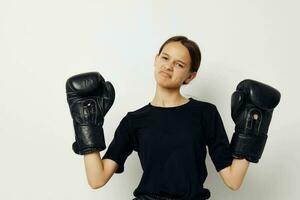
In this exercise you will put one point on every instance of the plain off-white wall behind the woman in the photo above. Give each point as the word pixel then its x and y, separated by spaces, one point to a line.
pixel 42 43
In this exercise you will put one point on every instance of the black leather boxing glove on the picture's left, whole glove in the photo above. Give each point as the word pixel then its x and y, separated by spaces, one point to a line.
pixel 89 98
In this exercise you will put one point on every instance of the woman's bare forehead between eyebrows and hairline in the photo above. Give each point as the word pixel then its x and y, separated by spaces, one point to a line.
pixel 177 50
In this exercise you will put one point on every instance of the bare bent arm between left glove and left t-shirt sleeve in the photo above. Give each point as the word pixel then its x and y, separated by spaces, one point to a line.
pixel 98 171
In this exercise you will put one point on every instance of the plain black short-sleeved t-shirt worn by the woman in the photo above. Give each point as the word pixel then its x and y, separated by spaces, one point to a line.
pixel 171 144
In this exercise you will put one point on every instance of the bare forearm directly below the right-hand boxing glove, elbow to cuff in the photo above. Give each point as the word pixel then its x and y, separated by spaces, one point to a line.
pixel 238 170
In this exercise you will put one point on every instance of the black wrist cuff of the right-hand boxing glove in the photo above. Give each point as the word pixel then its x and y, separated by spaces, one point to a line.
pixel 249 147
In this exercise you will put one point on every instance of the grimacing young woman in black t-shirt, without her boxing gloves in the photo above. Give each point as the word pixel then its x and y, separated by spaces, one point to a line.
pixel 170 135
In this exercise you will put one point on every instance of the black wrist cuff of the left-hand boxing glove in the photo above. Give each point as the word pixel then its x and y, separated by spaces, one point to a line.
pixel 88 139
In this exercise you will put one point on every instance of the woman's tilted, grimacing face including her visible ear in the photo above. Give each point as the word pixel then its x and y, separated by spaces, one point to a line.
pixel 172 66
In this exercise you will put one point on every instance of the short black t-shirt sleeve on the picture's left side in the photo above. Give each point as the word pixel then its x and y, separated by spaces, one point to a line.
pixel 121 146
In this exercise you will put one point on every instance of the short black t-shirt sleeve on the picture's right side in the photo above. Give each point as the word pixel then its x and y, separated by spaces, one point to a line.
pixel 217 141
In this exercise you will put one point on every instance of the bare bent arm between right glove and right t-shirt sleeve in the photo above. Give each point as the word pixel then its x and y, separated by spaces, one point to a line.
pixel 233 175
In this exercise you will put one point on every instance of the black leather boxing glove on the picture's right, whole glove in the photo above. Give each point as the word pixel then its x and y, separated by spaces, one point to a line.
pixel 252 107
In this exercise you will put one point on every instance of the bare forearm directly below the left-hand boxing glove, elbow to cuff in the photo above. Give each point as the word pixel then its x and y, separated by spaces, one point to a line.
pixel 94 169
